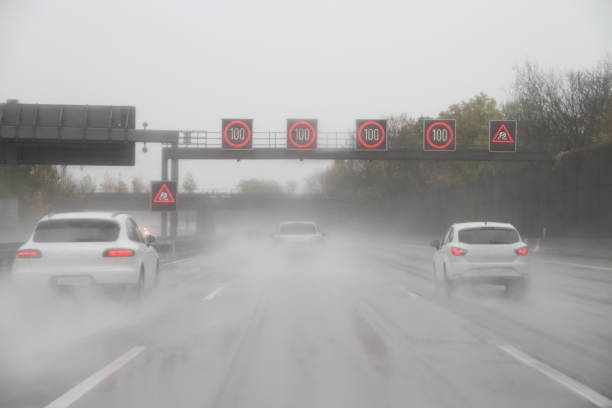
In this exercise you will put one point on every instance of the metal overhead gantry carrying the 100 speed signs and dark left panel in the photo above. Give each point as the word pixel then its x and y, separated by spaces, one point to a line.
pixel 106 135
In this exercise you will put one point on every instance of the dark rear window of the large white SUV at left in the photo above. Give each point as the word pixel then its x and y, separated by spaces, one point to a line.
pixel 81 230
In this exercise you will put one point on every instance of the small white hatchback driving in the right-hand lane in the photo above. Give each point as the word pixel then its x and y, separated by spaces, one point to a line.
pixel 482 252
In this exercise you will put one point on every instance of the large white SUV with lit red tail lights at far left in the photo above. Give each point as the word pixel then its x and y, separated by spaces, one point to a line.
pixel 87 249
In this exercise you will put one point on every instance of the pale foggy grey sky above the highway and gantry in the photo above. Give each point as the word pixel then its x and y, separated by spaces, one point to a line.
pixel 187 64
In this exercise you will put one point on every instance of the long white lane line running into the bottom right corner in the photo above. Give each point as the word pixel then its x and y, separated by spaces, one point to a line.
pixel 568 382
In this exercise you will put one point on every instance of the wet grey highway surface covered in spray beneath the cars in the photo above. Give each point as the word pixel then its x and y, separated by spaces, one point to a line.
pixel 359 325
